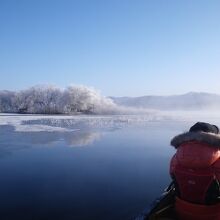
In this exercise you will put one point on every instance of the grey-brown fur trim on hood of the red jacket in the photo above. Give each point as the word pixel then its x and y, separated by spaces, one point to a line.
pixel 208 138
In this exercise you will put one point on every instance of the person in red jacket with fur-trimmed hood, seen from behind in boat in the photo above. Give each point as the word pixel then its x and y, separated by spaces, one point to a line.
pixel 195 170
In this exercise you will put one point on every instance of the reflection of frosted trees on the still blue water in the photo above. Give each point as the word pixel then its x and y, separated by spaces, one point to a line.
pixel 12 140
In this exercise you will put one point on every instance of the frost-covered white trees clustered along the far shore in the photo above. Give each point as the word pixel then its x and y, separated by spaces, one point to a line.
pixel 53 100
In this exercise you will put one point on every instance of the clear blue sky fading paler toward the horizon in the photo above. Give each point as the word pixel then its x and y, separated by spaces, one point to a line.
pixel 120 47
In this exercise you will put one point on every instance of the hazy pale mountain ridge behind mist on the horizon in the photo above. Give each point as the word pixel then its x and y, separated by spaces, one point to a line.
pixel 188 101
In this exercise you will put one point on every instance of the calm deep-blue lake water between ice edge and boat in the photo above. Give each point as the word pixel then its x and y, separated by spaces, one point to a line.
pixel 86 174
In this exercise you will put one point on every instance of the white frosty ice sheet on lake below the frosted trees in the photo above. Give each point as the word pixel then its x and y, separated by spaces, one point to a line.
pixel 63 123
